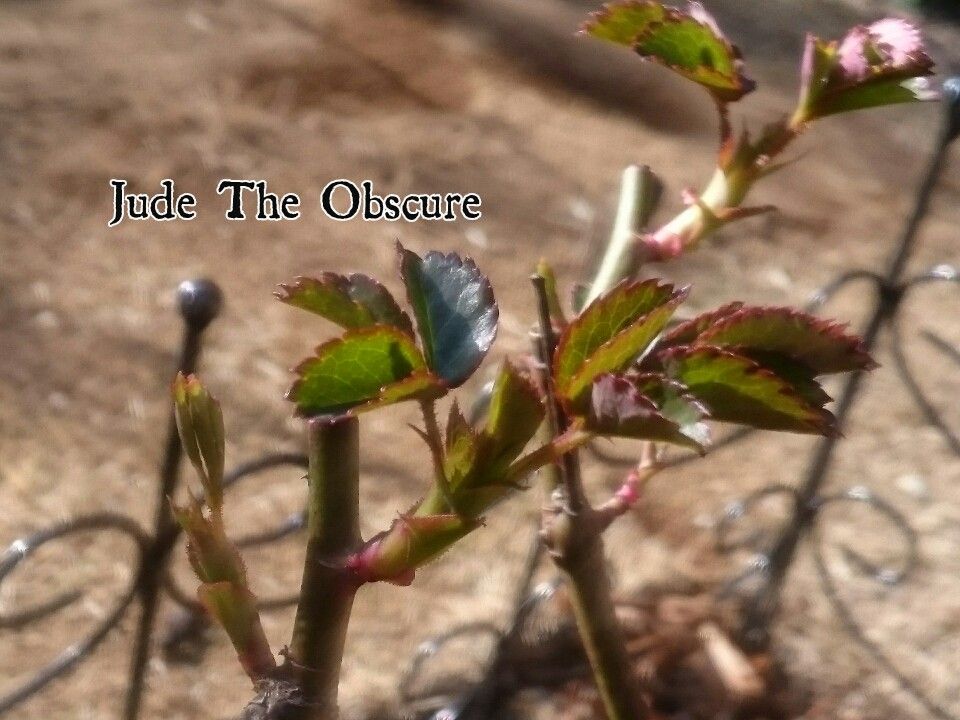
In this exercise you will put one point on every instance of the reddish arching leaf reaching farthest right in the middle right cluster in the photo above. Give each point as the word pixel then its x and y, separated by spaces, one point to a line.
pixel 821 345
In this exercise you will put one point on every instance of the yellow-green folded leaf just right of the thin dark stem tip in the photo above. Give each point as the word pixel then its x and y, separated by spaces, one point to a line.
pixel 611 333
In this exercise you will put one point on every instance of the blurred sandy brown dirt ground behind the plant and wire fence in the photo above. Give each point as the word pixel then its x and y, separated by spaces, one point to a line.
pixel 490 97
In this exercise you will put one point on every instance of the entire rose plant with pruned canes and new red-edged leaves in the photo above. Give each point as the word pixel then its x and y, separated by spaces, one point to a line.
pixel 618 365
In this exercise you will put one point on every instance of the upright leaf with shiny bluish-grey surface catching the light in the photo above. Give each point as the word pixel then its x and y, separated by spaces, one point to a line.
pixel 455 309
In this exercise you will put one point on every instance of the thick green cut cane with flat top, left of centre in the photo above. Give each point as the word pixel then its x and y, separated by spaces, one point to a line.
pixel 327 590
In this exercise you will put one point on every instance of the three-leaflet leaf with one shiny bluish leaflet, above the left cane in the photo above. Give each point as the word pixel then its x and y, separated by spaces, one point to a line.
pixel 378 360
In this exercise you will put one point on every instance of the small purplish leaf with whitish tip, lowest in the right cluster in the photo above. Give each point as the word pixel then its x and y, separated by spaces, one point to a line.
pixel 619 409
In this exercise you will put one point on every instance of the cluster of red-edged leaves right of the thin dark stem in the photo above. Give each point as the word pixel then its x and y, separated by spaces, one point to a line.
pixel 623 373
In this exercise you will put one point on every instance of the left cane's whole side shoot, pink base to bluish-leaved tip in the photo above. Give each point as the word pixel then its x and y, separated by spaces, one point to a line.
pixel 380 360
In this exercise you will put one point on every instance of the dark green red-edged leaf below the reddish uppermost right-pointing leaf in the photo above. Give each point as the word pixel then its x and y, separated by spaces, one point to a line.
pixel 738 390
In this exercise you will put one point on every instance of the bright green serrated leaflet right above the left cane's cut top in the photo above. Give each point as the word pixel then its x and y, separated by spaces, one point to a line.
pixel 358 368
